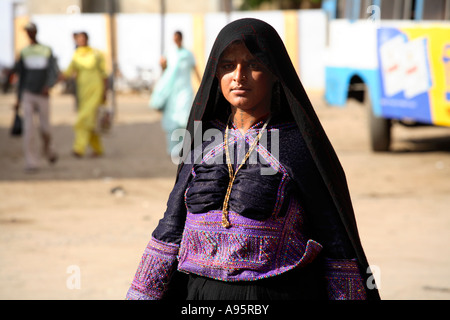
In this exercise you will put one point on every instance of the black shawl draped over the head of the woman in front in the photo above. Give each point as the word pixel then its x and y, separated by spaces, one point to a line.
pixel 264 43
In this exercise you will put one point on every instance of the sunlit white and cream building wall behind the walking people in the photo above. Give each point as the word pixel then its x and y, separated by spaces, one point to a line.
pixel 136 35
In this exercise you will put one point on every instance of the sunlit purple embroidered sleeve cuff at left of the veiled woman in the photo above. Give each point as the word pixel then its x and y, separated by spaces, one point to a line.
pixel 154 271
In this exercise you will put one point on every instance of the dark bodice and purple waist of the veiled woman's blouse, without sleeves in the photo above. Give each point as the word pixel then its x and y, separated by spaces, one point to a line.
pixel 252 248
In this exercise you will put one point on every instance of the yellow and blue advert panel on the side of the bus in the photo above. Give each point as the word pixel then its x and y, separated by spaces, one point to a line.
pixel 414 69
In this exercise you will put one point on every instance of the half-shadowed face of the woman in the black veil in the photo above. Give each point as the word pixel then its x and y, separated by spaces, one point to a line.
pixel 245 83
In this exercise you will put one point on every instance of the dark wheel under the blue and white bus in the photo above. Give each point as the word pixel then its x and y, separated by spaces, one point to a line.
pixel 379 128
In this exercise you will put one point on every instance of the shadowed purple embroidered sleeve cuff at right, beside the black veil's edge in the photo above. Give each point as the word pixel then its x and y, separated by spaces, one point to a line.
pixel 344 281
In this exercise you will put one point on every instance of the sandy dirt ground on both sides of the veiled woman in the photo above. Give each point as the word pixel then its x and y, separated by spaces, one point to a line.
pixel 76 230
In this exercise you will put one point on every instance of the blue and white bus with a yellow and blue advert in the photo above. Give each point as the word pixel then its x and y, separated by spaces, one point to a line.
pixel 393 56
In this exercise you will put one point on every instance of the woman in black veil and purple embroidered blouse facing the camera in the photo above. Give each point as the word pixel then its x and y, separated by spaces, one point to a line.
pixel 261 210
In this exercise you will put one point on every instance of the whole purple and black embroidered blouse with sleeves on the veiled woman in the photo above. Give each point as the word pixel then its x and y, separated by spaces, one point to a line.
pixel 270 229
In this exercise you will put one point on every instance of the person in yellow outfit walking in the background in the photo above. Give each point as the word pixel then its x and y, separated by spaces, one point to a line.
pixel 88 65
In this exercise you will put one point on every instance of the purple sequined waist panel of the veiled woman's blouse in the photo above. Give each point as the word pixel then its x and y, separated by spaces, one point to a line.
pixel 249 250
